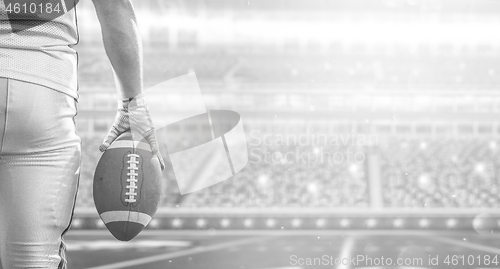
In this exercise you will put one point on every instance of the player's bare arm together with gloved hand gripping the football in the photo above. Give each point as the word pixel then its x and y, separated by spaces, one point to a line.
pixel 122 43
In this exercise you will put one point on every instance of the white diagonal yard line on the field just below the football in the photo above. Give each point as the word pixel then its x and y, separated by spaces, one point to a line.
pixel 180 253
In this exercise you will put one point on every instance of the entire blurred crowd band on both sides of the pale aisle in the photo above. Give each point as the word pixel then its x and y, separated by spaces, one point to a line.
pixel 434 173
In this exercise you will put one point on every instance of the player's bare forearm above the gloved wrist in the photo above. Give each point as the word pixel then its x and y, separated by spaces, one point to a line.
pixel 122 43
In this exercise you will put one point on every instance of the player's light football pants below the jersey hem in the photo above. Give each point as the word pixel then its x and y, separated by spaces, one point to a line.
pixel 39 172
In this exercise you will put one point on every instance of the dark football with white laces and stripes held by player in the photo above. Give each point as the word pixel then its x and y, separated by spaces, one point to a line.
pixel 127 187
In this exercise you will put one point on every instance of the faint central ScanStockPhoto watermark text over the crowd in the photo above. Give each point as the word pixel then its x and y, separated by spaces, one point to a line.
pixel 310 148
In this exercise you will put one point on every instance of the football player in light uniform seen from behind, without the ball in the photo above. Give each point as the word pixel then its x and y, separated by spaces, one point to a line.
pixel 40 151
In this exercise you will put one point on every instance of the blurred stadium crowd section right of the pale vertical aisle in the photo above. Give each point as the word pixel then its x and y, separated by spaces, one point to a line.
pixel 441 172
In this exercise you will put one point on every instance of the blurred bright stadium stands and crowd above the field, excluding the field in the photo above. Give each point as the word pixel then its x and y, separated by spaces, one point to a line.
pixel 409 88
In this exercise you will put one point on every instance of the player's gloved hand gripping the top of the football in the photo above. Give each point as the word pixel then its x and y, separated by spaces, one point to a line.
pixel 133 115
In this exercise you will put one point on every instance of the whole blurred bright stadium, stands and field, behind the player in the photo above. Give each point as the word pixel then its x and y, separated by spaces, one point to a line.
pixel 371 128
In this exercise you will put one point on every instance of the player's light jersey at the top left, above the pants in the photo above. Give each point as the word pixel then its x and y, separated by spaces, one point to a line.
pixel 35 40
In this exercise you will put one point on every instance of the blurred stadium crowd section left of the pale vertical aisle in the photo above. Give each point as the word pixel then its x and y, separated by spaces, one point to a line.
pixel 272 181
